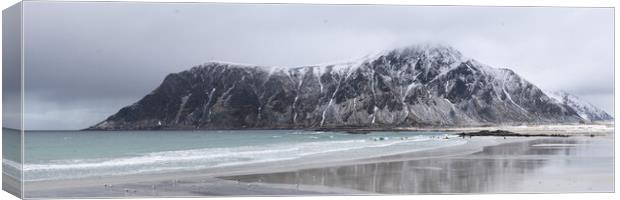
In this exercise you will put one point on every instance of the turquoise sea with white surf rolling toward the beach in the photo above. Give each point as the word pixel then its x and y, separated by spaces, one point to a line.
pixel 52 155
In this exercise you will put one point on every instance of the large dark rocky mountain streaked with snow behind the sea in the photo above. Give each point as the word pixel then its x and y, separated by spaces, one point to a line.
pixel 423 85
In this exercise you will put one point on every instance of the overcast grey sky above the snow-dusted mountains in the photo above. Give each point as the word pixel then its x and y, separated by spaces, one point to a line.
pixel 85 61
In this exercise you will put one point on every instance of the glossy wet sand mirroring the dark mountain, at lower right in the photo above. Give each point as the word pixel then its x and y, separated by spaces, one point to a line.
pixel 502 168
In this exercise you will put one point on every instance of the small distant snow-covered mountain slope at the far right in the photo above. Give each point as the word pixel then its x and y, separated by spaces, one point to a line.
pixel 585 110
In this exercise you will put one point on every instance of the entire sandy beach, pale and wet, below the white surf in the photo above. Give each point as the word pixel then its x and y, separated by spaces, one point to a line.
pixel 482 165
